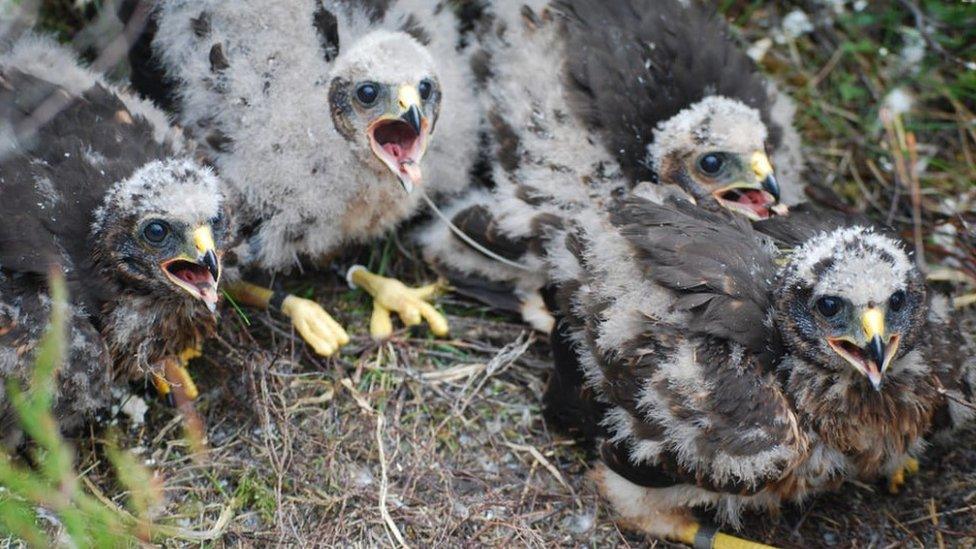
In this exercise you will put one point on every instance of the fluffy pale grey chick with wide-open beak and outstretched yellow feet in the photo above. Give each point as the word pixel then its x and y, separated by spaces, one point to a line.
pixel 327 118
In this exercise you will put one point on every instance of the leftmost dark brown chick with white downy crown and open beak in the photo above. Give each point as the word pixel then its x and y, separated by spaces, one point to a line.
pixel 95 183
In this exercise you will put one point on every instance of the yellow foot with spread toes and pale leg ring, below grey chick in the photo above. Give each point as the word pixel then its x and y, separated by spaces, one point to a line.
pixel 391 295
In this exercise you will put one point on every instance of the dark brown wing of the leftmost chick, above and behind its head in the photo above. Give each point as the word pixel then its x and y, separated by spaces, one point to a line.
pixel 50 186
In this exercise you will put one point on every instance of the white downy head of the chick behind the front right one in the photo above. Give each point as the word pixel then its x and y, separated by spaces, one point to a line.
pixel 715 150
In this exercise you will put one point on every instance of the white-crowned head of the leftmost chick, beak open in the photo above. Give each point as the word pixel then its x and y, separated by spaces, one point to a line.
pixel 159 232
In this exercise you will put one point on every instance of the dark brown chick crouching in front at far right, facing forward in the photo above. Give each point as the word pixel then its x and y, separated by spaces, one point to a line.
pixel 724 381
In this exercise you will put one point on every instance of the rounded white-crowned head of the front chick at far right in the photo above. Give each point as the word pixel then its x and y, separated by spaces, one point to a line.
pixel 851 301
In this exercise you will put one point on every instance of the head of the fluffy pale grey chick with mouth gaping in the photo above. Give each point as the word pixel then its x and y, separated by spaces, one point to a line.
pixel 385 97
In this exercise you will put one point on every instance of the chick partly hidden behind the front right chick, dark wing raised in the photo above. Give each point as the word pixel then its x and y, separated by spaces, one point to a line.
pixel 609 94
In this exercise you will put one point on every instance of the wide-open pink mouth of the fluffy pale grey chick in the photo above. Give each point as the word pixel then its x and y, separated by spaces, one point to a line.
pixel 400 147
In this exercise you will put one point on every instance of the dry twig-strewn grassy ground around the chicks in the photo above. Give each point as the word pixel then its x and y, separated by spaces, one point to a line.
pixel 441 442
